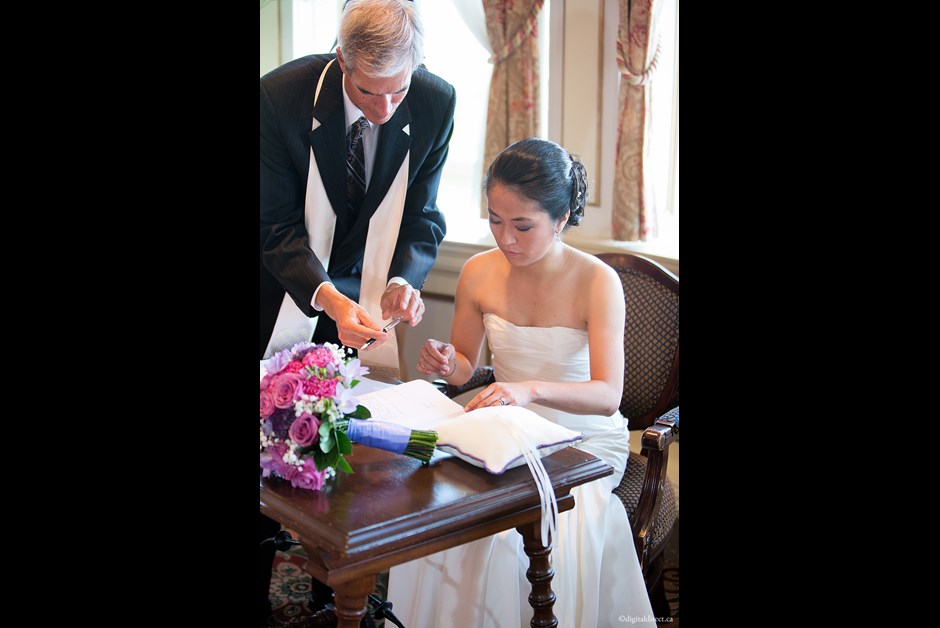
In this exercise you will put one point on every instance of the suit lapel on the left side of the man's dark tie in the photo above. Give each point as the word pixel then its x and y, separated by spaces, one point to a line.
pixel 328 140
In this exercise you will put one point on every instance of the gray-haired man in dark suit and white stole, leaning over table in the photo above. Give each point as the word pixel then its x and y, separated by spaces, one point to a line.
pixel 322 249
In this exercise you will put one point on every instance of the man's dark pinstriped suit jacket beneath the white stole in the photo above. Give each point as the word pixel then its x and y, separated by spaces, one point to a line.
pixel 287 112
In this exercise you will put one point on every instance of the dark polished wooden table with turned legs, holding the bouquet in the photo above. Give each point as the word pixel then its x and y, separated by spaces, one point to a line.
pixel 393 509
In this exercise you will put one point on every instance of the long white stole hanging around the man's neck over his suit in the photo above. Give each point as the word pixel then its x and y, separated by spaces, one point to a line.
pixel 292 325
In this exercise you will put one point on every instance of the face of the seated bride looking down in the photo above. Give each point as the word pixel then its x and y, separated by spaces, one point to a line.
pixel 523 231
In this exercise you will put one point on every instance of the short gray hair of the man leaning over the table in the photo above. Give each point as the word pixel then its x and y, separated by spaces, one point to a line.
pixel 381 37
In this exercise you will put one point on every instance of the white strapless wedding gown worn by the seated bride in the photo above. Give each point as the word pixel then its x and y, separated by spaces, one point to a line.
pixel 598 582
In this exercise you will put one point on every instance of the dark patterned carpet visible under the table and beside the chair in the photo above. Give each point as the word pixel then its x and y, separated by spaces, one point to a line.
pixel 290 585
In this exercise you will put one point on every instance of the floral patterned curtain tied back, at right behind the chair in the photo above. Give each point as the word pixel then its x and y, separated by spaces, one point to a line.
pixel 634 215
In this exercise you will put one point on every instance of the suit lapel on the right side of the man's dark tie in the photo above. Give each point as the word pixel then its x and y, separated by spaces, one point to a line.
pixel 394 142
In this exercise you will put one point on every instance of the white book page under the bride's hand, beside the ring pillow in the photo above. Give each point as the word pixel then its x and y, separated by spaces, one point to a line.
pixel 416 404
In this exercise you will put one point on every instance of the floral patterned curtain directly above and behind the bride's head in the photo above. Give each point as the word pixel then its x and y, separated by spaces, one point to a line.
pixel 512 114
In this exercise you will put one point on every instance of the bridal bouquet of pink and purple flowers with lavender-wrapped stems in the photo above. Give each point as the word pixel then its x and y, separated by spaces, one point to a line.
pixel 309 418
